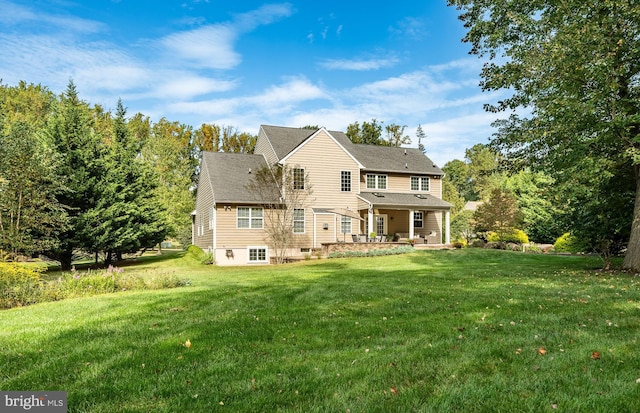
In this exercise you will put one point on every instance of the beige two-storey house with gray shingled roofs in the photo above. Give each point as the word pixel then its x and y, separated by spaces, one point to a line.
pixel 357 189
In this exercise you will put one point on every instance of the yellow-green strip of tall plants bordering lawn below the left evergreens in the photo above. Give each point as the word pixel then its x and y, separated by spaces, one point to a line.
pixel 21 285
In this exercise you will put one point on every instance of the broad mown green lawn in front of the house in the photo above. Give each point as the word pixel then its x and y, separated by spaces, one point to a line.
pixel 427 331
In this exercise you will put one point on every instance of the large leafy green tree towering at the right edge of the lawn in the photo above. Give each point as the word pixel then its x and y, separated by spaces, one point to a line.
pixel 572 69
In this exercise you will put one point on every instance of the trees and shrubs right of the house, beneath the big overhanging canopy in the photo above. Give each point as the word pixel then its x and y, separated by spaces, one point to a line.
pixel 593 207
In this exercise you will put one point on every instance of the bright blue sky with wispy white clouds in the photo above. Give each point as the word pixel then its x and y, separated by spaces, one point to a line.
pixel 247 63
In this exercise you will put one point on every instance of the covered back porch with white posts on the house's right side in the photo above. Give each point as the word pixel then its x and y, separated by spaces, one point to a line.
pixel 422 218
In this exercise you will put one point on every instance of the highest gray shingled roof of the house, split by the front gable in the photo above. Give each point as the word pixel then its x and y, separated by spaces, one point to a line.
pixel 372 157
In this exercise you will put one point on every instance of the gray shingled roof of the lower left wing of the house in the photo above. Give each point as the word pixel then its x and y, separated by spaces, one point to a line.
pixel 229 175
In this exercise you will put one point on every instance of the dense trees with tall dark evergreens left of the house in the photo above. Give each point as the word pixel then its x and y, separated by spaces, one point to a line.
pixel 75 178
